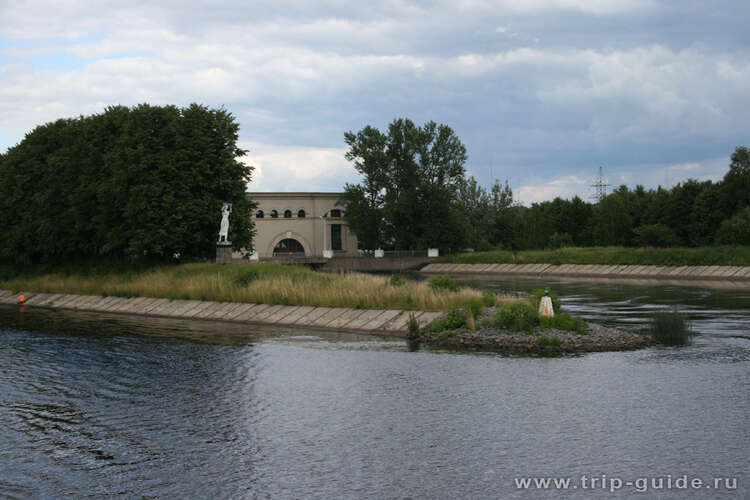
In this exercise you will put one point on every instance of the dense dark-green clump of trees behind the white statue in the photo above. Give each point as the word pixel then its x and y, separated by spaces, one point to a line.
pixel 140 183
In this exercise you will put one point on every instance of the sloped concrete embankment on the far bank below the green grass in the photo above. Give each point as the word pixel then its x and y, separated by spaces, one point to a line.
pixel 729 273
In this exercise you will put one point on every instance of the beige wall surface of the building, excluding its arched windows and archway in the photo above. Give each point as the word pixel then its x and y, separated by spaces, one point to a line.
pixel 308 230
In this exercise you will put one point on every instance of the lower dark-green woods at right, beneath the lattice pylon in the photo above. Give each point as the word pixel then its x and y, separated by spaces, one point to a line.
pixel 690 214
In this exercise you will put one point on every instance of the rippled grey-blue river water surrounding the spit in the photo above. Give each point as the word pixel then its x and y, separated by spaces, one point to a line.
pixel 107 406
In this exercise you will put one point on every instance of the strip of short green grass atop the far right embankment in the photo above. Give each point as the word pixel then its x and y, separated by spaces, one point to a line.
pixel 703 256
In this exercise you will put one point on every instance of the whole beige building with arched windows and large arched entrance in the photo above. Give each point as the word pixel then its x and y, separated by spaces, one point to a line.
pixel 301 224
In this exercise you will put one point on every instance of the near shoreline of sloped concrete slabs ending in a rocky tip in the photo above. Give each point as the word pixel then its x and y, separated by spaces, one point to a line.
pixel 368 321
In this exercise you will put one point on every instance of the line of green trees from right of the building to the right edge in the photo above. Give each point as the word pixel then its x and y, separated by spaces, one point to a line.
pixel 415 194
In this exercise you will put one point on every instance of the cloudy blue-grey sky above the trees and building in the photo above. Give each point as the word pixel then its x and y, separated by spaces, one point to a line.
pixel 541 92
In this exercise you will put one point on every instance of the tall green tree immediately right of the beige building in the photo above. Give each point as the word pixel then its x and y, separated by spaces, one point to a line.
pixel 410 180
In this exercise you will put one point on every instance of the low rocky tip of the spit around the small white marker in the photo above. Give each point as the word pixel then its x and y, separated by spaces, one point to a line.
pixel 599 338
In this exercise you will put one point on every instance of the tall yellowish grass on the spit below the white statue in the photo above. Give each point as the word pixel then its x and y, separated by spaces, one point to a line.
pixel 258 283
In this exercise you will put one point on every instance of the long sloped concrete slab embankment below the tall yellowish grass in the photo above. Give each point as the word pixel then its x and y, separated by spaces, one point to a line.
pixel 391 322
